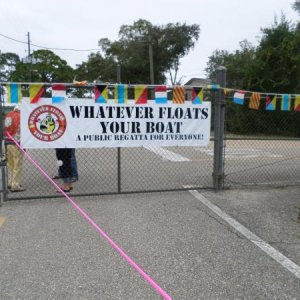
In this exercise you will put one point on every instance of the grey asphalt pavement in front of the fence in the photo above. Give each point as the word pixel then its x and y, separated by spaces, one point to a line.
pixel 235 244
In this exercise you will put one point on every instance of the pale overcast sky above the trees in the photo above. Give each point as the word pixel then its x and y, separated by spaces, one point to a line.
pixel 80 24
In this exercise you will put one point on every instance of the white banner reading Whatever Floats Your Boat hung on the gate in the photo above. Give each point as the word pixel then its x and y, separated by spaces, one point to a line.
pixel 82 123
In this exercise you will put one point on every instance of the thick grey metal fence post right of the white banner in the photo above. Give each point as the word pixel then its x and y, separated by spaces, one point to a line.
pixel 219 123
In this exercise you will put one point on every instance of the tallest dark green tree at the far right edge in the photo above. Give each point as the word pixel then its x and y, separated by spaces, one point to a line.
pixel 277 63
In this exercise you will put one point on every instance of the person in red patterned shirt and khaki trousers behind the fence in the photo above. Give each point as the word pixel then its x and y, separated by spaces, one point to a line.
pixel 13 154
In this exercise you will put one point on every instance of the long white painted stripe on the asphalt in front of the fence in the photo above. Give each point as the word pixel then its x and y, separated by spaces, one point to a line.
pixel 268 249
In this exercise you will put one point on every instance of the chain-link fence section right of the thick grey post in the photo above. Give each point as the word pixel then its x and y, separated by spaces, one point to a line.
pixel 261 147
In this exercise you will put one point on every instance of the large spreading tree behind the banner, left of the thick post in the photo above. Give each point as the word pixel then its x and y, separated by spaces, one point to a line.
pixel 170 43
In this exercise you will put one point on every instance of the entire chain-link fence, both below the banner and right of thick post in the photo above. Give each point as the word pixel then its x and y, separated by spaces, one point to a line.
pixel 257 148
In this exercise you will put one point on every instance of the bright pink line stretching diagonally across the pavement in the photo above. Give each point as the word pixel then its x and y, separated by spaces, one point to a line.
pixel 93 223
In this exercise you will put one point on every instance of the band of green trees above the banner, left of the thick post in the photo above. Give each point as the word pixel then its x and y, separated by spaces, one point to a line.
pixel 169 43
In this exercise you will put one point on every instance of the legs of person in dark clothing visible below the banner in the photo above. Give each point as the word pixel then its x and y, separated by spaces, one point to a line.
pixel 64 156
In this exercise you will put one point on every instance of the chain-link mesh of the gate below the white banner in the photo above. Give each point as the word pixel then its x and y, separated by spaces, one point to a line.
pixel 125 170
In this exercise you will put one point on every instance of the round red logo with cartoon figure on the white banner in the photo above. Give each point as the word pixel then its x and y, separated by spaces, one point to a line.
pixel 47 123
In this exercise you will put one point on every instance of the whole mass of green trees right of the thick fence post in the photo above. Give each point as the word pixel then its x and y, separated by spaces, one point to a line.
pixel 274 65
